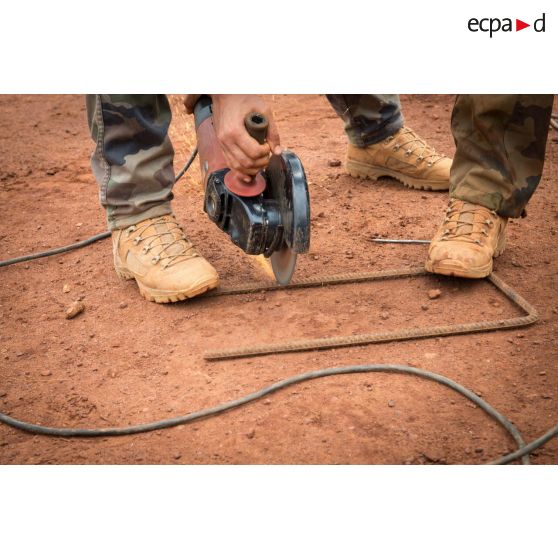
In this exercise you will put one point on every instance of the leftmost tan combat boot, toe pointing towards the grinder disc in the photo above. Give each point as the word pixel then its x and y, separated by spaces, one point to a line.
pixel 165 265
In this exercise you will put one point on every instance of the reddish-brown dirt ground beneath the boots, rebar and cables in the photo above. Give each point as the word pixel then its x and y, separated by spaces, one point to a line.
pixel 125 360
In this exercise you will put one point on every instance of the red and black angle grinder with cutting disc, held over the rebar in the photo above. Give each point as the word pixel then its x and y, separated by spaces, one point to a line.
pixel 271 214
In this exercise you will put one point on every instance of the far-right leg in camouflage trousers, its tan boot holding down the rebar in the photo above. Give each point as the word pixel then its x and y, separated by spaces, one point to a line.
pixel 500 141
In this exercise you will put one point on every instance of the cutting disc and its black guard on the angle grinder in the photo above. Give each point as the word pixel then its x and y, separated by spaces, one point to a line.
pixel 288 187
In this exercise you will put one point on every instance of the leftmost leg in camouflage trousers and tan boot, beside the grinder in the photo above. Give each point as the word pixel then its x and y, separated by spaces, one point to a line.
pixel 132 163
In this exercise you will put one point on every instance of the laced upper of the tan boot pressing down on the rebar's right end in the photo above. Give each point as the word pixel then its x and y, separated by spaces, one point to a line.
pixel 460 216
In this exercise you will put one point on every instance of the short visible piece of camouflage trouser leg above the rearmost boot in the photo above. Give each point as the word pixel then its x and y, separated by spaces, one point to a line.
pixel 368 118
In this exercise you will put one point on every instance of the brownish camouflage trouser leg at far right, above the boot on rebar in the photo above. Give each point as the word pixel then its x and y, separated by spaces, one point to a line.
pixel 500 142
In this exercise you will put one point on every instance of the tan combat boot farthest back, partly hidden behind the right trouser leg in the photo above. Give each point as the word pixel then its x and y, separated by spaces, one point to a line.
pixel 404 156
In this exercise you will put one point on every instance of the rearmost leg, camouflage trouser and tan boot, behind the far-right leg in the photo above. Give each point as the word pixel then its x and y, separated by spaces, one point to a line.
pixel 380 145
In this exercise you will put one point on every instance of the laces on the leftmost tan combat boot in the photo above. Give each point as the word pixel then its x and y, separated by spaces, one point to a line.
pixel 160 242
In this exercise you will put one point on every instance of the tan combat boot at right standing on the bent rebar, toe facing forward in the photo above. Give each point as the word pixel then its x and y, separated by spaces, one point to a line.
pixel 466 241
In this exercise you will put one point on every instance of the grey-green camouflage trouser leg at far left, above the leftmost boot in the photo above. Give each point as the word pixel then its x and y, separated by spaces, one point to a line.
pixel 133 160
